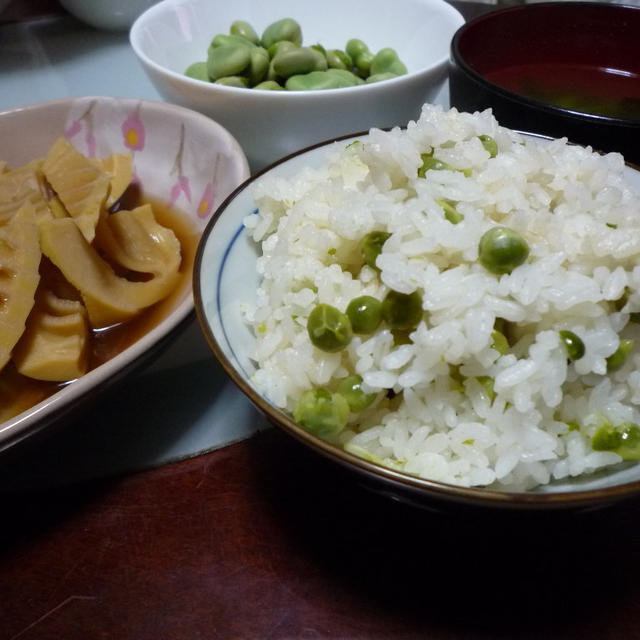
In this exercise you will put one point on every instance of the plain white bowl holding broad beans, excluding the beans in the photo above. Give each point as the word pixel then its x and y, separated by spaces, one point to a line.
pixel 171 35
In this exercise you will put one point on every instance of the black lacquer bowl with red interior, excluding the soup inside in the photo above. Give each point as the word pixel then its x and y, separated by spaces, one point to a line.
pixel 597 35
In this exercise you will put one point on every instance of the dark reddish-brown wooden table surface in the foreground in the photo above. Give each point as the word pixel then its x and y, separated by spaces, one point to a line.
pixel 262 539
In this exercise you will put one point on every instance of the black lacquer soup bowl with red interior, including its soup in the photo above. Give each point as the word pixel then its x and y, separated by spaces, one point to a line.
pixel 558 68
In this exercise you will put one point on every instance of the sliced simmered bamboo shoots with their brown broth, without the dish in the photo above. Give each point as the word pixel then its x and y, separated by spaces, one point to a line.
pixel 61 314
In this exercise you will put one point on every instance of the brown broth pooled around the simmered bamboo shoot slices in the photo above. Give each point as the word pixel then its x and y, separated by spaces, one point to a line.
pixel 18 393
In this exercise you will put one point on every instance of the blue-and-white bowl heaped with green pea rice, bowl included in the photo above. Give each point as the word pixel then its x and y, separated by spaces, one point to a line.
pixel 450 308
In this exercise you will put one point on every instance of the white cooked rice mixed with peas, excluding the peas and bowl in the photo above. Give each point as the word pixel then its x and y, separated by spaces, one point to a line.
pixel 582 222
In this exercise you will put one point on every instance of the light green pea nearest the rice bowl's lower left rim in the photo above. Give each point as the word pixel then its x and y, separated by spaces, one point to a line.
pixel 321 412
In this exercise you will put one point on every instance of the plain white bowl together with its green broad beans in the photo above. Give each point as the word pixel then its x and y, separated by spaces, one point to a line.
pixel 350 65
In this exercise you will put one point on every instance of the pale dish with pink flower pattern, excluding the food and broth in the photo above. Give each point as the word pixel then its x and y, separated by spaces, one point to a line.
pixel 181 158
